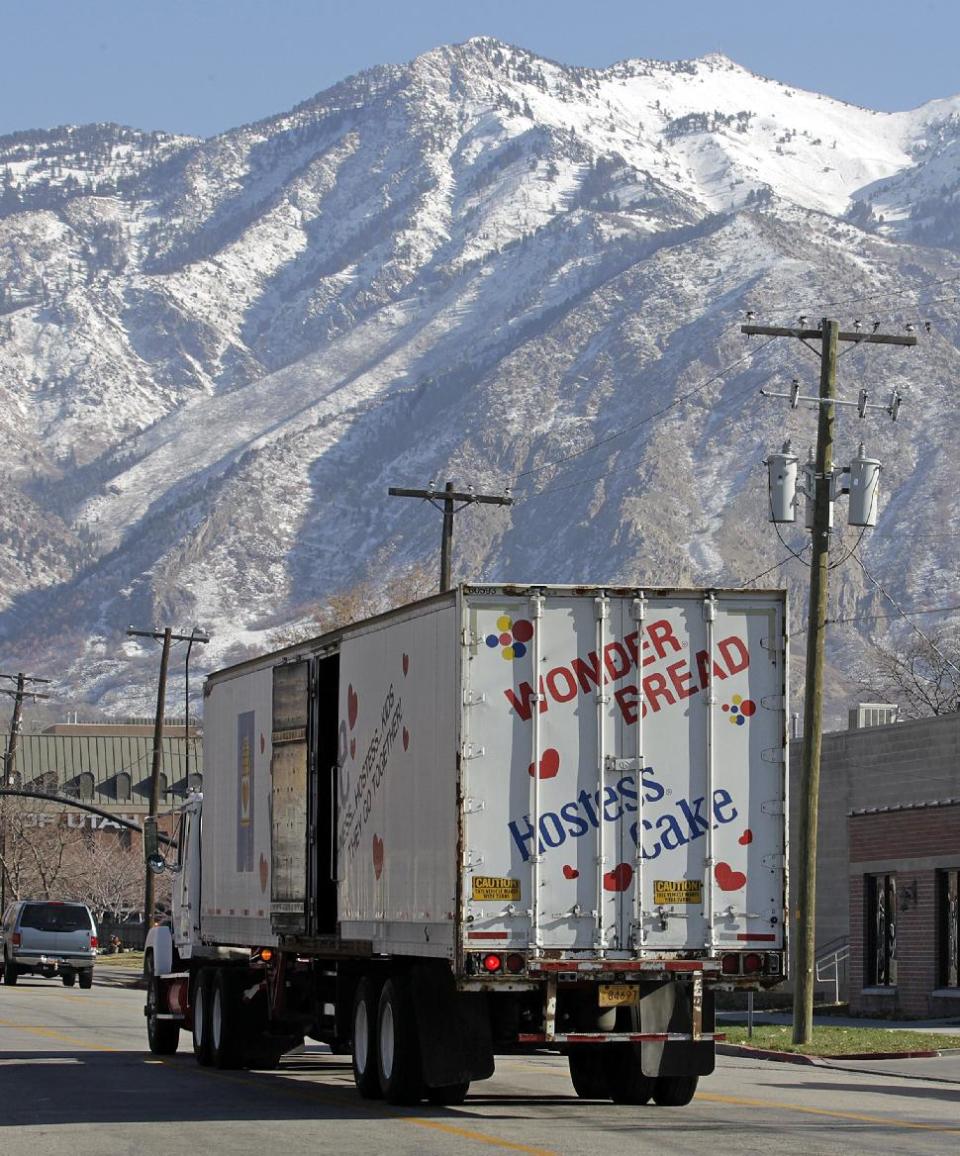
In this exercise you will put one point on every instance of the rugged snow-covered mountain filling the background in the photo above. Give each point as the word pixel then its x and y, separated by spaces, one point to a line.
pixel 483 266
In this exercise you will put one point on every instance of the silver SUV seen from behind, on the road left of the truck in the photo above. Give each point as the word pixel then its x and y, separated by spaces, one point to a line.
pixel 49 938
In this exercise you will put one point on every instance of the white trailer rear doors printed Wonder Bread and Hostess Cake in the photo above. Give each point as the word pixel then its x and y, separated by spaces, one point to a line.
pixel 624 772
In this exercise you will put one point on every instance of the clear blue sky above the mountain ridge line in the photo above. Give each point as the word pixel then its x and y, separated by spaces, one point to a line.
pixel 203 66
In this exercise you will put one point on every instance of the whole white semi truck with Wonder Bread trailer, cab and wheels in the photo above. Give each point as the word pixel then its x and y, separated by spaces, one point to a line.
pixel 500 820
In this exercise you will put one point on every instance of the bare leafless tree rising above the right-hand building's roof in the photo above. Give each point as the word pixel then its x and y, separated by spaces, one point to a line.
pixel 922 678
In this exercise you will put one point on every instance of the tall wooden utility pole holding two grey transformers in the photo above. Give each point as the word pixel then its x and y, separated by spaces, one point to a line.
pixel 830 336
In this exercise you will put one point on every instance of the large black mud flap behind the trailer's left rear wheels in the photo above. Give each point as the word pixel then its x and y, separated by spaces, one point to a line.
pixel 456 1044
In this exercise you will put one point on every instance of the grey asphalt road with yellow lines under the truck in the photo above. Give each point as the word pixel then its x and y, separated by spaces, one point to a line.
pixel 76 1079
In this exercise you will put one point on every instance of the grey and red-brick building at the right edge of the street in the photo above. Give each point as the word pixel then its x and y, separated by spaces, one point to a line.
pixel 889 855
